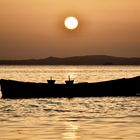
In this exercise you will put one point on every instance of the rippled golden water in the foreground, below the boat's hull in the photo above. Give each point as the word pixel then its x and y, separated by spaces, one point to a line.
pixel 75 119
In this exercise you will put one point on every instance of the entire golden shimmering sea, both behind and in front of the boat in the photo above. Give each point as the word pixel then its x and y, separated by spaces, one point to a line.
pixel 104 118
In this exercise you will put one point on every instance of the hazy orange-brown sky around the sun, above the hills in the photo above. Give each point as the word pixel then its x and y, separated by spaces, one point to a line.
pixel 35 28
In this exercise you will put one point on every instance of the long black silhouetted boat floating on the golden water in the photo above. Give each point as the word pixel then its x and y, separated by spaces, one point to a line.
pixel 119 87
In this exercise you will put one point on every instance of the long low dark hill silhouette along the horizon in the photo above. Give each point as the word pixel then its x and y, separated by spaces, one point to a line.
pixel 76 60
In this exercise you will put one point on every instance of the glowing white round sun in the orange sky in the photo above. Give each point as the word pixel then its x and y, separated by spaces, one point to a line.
pixel 71 23
